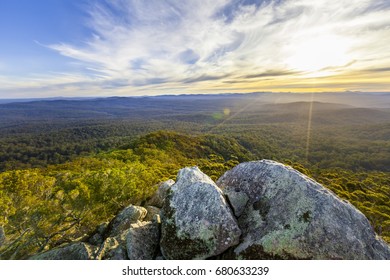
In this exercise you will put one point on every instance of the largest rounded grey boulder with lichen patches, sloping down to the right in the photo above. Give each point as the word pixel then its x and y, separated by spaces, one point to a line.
pixel 285 215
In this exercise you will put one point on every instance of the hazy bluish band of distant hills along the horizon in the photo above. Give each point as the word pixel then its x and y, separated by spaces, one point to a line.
pixel 269 107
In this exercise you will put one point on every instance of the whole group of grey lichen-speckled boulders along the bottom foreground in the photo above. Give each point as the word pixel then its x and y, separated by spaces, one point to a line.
pixel 257 210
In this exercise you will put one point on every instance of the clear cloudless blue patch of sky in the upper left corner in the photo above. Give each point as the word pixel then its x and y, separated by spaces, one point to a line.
pixel 25 26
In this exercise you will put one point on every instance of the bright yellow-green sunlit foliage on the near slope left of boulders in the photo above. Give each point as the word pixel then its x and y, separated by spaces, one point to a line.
pixel 46 207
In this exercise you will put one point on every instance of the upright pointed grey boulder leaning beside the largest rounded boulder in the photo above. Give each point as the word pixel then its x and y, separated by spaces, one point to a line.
pixel 197 223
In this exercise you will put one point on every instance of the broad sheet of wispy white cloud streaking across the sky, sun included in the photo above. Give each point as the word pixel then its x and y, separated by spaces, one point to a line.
pixel 199 46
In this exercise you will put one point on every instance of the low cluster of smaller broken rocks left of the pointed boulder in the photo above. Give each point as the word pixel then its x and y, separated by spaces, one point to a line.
pixel 125 237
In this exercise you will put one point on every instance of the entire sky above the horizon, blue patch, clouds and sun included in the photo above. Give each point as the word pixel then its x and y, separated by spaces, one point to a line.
pixel 76 48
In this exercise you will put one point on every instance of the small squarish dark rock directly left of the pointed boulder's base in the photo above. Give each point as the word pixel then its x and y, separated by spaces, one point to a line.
pixel 143 240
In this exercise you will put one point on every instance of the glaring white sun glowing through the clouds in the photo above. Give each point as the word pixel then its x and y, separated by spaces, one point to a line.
pixel 318 54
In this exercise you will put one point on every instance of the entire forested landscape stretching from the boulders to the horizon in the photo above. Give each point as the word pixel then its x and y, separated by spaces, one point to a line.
pixel 68 166
